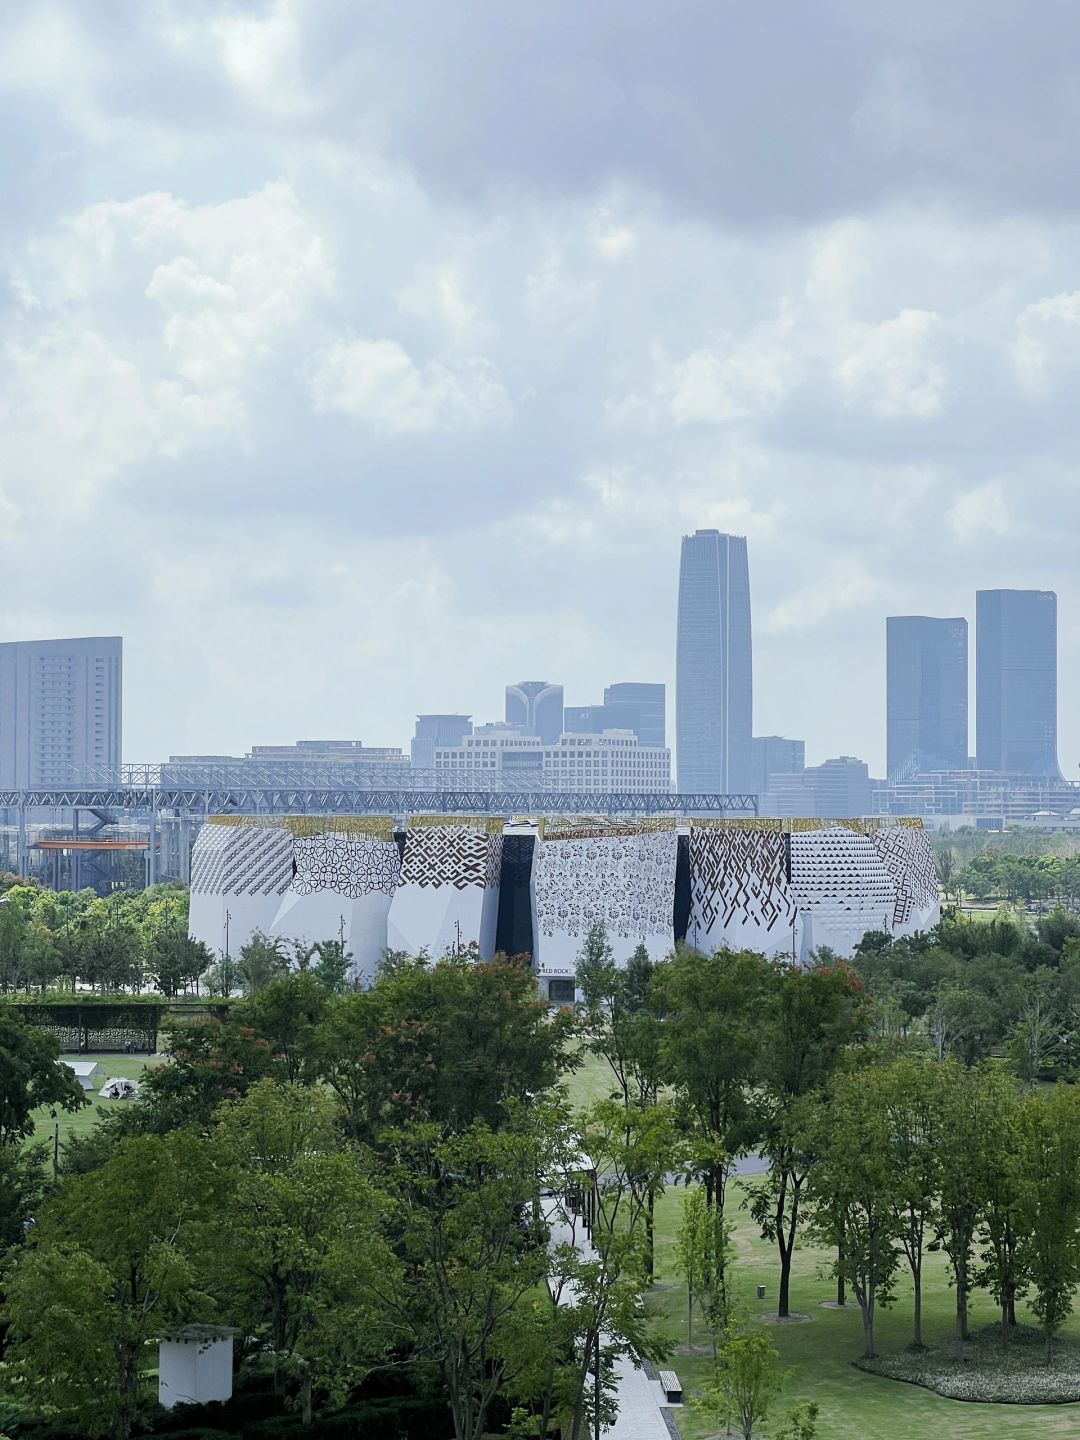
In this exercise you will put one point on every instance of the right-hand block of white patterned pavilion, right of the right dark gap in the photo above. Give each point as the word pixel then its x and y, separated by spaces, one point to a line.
pixel 791 888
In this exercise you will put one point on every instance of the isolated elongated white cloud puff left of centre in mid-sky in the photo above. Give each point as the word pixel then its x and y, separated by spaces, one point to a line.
pixel 377 382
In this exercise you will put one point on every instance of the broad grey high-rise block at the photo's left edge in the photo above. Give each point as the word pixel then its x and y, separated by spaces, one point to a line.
pixel 60 709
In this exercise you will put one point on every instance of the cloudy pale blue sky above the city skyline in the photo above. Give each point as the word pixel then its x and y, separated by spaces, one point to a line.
pixel 358 359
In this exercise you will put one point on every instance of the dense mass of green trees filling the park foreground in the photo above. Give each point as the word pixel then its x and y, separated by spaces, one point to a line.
pixel 391 1183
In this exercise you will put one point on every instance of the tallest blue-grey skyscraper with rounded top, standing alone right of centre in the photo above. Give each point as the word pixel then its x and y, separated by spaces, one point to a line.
pixel 714 665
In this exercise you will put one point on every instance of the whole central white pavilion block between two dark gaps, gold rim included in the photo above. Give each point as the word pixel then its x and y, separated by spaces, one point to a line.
pixel 623 875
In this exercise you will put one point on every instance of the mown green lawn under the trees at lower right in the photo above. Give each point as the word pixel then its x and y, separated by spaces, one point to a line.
pixel 855 1406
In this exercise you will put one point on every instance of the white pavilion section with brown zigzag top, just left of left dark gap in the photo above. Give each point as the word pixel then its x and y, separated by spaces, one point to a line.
pixel 450 886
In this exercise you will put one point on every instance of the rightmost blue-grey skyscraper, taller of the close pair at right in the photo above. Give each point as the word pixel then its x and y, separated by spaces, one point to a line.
pixel 1016 682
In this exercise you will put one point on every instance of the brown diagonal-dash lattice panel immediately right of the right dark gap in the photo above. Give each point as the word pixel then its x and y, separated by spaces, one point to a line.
pixel 739 876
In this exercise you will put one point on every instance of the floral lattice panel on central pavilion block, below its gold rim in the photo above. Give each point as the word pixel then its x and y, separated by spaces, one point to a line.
pixel 627 882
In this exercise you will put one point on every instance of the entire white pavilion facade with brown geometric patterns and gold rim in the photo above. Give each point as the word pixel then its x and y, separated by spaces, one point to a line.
pixel 780 888
